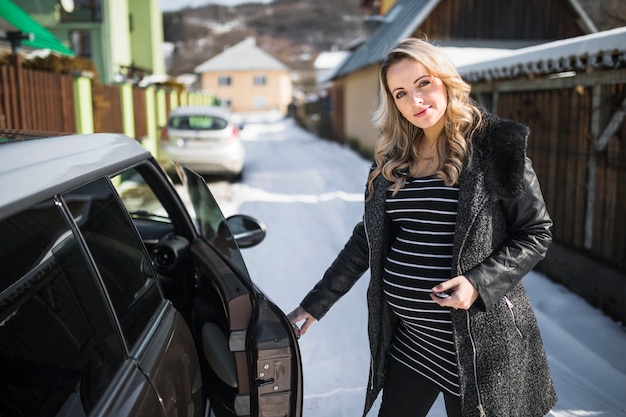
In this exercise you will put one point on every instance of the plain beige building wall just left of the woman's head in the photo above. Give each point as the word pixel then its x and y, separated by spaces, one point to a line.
pixel 359 101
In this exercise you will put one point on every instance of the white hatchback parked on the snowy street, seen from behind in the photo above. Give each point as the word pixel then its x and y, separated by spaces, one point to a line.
pixel 203 139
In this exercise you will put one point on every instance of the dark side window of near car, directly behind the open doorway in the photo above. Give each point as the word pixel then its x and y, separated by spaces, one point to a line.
pixel 118 253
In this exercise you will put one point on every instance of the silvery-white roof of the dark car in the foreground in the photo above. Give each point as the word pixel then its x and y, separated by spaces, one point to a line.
pixel 34 169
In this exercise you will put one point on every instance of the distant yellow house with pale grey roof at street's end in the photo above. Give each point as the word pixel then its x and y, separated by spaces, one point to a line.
pixel 247 79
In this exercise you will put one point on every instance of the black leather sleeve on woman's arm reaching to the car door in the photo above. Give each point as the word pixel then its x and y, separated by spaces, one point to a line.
pixel 348 267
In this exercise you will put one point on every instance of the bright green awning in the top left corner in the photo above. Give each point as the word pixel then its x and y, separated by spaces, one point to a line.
pixel 13 18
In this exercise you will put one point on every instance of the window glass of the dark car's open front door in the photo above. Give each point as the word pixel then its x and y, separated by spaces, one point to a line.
pixel 211 224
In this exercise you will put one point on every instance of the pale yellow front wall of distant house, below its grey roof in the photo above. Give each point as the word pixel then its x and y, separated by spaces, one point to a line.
pixel 244 96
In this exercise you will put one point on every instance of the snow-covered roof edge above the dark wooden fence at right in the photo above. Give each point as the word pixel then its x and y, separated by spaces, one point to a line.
pixel 602 49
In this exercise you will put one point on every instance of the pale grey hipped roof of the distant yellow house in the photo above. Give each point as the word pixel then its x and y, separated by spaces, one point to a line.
pixel 244 56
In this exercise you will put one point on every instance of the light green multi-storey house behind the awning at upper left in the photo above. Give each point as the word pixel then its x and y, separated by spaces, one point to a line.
pixel 123 38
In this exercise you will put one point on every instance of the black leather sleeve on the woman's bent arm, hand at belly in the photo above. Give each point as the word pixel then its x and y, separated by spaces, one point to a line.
pixel 528 240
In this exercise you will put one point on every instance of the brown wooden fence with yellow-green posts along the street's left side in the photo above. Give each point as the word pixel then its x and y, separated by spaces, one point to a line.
pixel 35 100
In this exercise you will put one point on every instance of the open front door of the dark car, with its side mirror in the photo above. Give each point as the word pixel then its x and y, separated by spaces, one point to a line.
pixel 251 355
